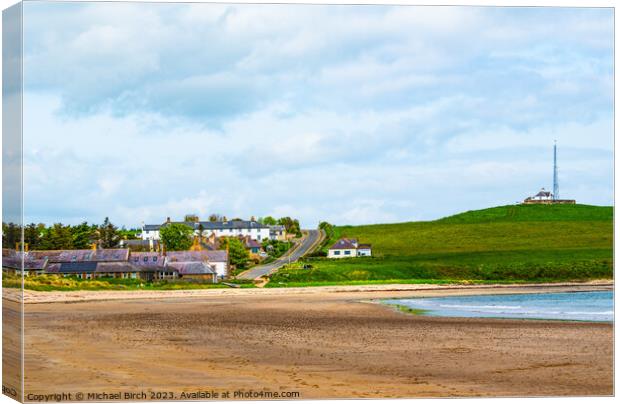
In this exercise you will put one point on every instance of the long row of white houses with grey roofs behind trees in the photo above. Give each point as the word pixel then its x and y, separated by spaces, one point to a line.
pixel 232 228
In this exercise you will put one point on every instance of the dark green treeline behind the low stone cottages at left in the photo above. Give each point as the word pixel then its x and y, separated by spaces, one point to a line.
pixel 62 237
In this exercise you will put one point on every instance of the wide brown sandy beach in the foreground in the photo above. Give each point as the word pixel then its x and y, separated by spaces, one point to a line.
pixel 318 342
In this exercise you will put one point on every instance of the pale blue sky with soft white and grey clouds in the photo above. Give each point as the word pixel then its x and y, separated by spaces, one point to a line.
pixel 350 114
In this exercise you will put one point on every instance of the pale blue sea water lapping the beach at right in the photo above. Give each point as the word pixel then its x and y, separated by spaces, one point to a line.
pixel 580 306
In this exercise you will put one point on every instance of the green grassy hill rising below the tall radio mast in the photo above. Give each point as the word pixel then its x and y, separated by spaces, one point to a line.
pixel 516 243
